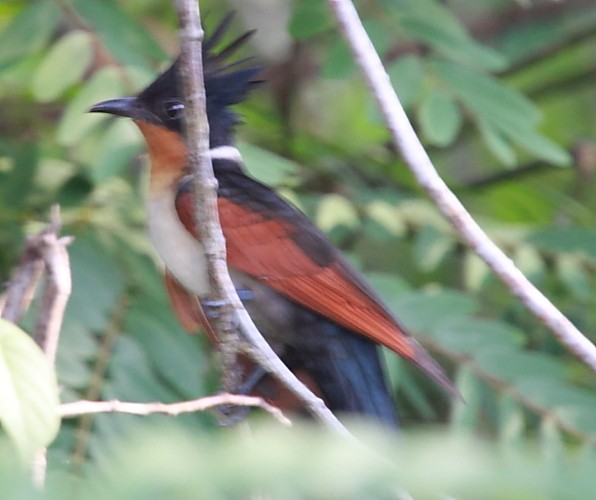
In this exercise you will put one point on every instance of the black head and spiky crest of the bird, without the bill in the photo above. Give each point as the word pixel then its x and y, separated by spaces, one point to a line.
pixel 226 83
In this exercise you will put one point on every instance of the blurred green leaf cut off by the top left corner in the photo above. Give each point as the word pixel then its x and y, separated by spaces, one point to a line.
pixel 29 31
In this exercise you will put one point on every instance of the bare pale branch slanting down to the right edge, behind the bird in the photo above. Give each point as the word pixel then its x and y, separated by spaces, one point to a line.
pixel 416 158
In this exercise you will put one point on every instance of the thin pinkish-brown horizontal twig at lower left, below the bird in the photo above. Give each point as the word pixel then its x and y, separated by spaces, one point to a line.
pixel 78 408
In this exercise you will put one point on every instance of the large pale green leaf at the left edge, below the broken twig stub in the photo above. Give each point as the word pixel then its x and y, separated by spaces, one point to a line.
pixel 28 391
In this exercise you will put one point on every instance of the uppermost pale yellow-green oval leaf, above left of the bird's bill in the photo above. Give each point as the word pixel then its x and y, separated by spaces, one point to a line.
pixel 64 65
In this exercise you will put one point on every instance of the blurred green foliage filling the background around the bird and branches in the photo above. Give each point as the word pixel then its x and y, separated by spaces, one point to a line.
pixel 502 105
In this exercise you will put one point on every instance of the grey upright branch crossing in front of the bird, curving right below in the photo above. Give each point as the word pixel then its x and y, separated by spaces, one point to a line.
pixel 232 317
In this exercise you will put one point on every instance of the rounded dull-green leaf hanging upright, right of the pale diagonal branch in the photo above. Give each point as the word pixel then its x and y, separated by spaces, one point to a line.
pixel 439 117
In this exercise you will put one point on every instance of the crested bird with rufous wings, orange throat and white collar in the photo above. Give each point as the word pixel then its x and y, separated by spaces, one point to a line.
pixel 319 314
